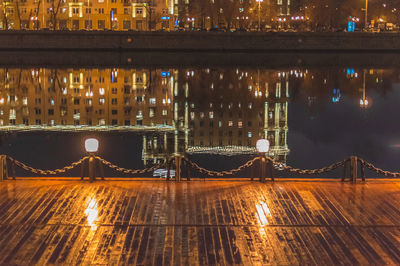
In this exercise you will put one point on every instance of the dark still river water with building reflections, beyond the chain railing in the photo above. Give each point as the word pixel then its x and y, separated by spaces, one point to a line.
pixel 141 116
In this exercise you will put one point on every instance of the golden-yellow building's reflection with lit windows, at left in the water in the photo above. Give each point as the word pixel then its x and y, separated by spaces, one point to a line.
pixel 116 97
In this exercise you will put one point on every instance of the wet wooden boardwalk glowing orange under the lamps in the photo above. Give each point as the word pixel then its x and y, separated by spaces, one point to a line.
pixel 199 223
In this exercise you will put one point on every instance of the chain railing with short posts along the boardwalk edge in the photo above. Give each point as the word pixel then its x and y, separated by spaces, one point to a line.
pixel 183 166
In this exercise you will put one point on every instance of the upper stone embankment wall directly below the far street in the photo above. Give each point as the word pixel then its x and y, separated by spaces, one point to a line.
pixel 198 41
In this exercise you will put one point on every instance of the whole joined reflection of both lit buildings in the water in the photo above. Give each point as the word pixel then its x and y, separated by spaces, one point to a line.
pixel 175 111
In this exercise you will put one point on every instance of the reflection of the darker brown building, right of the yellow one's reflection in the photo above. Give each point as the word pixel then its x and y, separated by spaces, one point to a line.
pixel 228 111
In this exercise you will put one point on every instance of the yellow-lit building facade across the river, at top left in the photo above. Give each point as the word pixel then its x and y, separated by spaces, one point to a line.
pixel 119 15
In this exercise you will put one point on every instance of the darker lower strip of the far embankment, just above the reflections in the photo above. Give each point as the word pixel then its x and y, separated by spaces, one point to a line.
pixel 126 59
